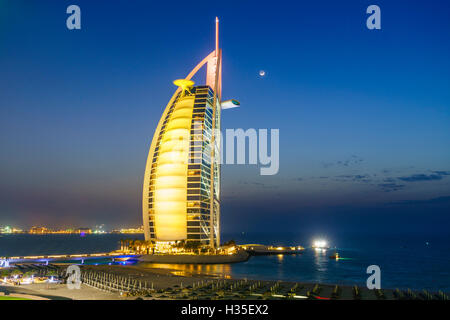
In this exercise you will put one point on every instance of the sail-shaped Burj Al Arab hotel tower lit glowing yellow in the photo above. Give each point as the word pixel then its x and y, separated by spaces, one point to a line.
pixel 181 192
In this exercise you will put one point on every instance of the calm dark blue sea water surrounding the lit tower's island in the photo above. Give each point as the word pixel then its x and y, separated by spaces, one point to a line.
pixel 406 261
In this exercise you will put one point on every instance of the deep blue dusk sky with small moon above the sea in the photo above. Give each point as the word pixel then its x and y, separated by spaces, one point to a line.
pixel 364 115
